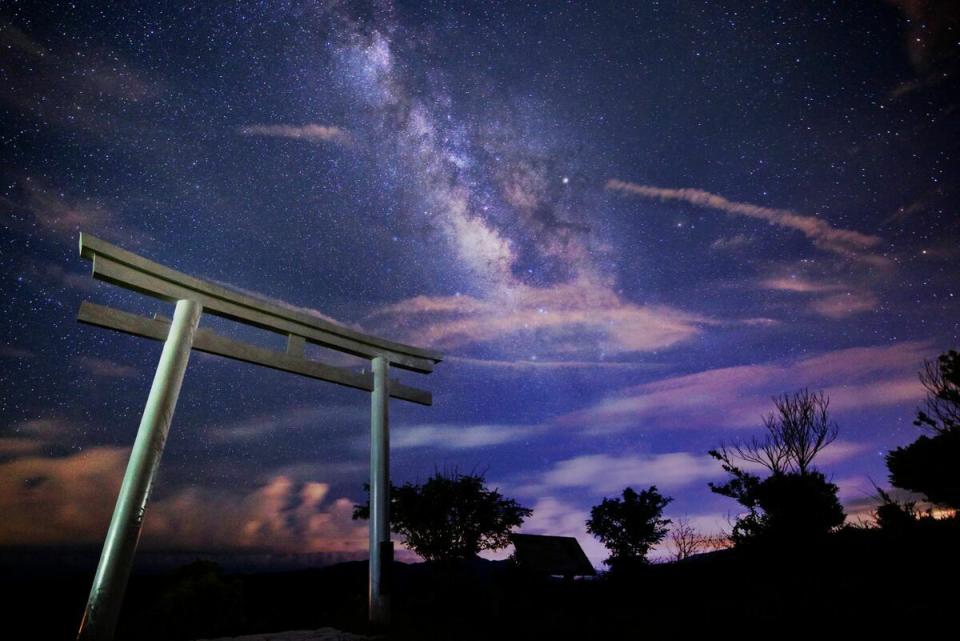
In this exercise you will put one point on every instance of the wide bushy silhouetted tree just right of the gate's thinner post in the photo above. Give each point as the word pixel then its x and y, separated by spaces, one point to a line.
pixel 451 516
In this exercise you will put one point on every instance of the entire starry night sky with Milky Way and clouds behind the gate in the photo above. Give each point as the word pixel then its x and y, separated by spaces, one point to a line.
pixel 626 225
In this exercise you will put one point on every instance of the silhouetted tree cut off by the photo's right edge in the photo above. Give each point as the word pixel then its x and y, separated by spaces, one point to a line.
pixel 931 464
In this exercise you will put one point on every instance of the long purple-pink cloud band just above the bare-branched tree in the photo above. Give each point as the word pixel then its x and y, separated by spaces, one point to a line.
pixel 737 396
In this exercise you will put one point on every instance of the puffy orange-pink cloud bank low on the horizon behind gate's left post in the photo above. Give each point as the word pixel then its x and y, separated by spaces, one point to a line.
pixel 70 500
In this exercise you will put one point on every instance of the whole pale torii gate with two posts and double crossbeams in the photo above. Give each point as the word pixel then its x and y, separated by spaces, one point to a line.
pixel 193 297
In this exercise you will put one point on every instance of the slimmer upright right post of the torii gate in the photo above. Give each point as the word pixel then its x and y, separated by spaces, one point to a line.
pixel 381 552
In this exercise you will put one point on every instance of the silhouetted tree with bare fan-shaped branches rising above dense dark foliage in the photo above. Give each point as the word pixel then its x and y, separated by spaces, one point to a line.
pixel 795 501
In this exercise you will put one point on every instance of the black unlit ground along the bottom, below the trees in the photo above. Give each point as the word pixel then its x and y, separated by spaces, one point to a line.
pixel 858 582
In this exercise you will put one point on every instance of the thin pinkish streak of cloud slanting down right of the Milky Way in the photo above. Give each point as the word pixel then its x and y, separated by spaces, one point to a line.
pixel 845 242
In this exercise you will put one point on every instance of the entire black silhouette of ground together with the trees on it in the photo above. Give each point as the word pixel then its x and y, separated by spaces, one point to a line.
pixel 790 563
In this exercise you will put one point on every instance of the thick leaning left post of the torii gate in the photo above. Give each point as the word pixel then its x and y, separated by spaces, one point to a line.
pixel 116 560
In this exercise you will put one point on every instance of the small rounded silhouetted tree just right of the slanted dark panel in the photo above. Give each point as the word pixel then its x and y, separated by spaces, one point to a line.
pixel 630 526
